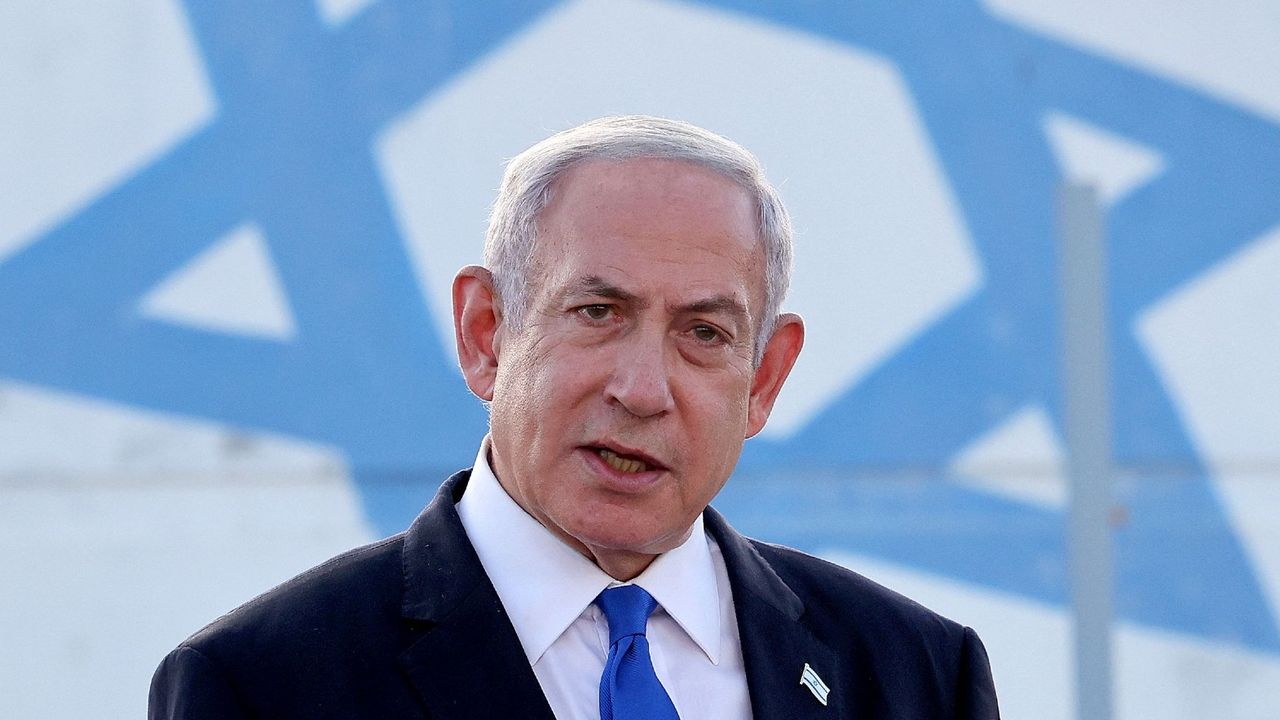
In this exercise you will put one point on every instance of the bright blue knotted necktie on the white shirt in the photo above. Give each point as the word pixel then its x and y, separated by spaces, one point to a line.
pixel 629 689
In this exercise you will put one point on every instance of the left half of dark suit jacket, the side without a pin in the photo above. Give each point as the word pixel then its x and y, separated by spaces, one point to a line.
pixel 409 627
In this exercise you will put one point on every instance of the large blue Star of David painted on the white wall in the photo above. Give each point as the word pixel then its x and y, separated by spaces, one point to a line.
pixel 291 149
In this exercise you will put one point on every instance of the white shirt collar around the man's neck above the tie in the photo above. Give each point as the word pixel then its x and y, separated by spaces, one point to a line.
pixel 519 555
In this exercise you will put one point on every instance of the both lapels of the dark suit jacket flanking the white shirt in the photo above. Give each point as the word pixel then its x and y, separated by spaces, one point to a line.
pixel 467 662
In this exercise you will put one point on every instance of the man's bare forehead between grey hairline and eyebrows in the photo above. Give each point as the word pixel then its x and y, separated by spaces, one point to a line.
pixel 648 226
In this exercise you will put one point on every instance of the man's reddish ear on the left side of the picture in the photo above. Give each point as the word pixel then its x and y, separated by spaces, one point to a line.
pixel 477 321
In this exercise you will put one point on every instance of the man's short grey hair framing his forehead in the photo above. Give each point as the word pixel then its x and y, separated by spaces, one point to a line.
pixel 529 184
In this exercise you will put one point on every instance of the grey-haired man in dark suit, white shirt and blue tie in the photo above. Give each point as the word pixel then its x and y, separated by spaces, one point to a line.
pixel 628 338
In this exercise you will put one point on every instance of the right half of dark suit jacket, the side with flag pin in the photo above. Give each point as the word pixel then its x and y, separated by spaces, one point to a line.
pixel 879 654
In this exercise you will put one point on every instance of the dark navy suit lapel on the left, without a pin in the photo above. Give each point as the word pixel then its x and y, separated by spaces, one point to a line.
pixel 465 662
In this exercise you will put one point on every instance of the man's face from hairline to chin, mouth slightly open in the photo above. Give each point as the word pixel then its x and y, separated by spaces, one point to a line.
pixel 620 408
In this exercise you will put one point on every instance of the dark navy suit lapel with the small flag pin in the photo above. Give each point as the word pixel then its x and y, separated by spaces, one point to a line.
pixel 778 642
